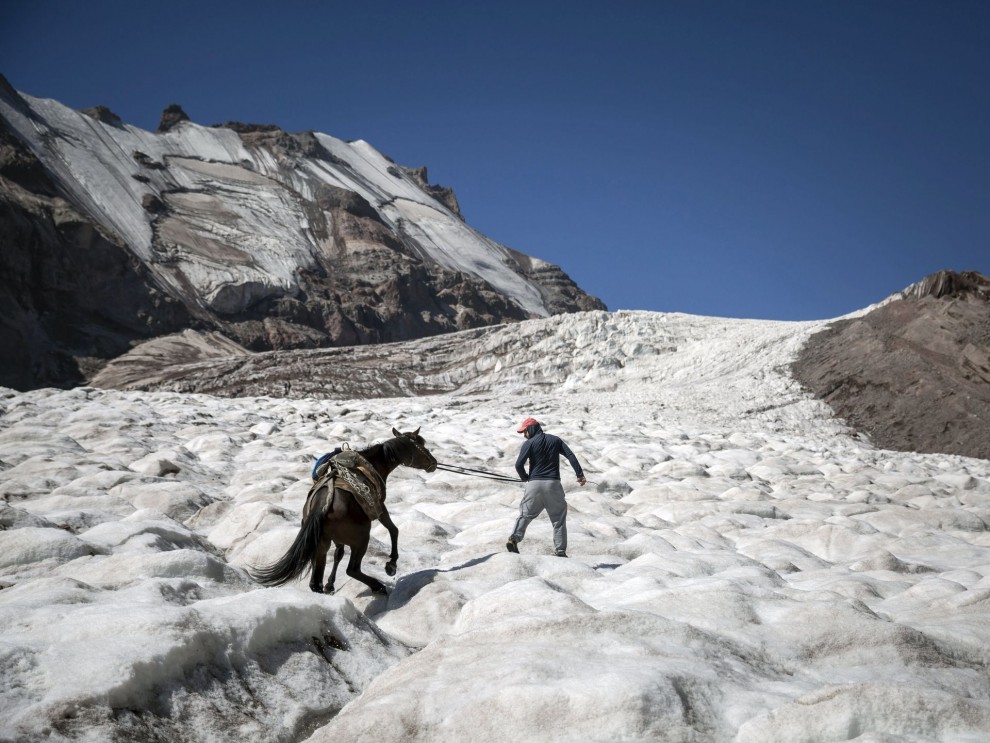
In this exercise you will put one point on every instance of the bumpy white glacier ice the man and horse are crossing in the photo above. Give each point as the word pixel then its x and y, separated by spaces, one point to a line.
pixel 741 567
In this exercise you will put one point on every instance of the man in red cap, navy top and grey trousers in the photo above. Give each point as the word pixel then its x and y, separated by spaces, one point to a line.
pixel 543 488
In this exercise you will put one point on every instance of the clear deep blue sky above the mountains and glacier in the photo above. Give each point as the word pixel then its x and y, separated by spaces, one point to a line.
pixel 778 160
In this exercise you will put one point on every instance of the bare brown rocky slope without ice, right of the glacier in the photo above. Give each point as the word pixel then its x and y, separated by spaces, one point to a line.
pixel 913 373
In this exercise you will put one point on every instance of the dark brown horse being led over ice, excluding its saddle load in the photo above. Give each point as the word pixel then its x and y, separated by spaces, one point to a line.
pixel 346 524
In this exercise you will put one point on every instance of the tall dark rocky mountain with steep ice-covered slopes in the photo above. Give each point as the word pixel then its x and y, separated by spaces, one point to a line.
pixel 111 235
